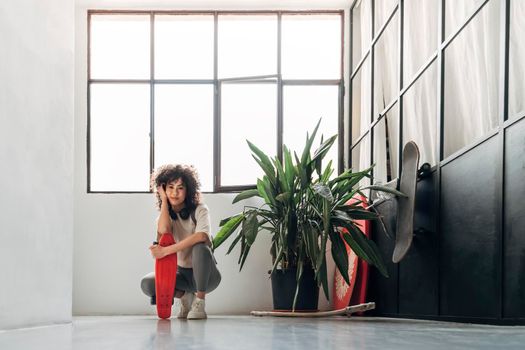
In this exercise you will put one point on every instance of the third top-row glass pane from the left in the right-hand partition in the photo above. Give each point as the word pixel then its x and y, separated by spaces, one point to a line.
pixel 420 35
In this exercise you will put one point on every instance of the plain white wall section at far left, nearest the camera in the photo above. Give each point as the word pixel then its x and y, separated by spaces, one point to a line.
pixel 36 158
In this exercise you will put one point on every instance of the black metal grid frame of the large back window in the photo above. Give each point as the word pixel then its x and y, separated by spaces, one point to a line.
pixel 217 187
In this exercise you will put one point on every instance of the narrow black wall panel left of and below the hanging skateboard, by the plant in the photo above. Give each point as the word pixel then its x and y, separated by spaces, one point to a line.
pixel 383 290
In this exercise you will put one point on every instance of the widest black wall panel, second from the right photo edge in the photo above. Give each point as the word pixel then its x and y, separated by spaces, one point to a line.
pixel 469 238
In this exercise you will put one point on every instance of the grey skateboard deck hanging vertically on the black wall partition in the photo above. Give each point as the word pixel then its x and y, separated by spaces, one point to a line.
pixel 405 209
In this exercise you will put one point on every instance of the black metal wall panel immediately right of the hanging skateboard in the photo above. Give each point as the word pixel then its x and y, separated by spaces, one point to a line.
pixel 418 271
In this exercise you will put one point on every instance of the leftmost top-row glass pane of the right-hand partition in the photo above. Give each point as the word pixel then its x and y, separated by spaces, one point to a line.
pixel 361 31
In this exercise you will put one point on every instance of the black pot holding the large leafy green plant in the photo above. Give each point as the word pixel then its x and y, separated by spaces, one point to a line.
pixel 283 290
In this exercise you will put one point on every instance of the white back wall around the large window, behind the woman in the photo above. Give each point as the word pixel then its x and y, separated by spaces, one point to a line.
pixel 113 231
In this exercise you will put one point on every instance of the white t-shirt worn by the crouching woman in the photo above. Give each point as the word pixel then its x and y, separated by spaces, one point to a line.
pixel 184 228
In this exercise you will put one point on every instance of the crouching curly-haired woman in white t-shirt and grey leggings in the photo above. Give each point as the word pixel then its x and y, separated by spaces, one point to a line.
pixel 183 215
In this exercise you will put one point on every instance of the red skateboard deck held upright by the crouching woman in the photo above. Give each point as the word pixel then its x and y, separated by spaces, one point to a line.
pixel 165 278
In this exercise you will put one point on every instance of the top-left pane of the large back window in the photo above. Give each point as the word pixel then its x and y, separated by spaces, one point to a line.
pixel 120 47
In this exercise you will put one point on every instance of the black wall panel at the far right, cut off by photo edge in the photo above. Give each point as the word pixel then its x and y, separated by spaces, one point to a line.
pixel 514 236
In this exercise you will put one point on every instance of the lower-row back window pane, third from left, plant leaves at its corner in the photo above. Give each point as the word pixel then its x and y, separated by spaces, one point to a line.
pixel 248 112
